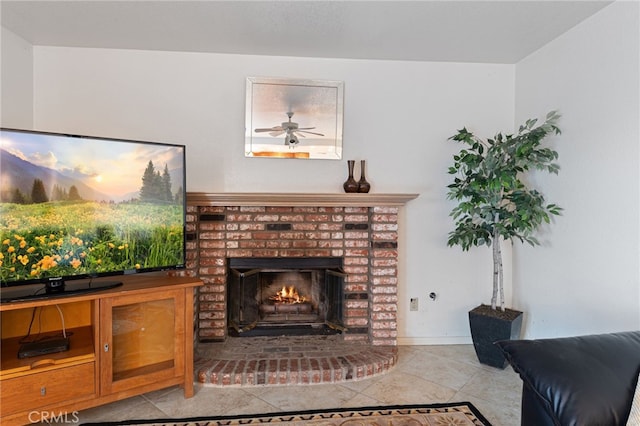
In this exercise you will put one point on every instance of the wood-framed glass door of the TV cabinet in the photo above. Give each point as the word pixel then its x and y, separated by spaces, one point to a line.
pixel 141 339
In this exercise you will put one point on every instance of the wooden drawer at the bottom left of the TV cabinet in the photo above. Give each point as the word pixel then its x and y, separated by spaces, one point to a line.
pixel 49 387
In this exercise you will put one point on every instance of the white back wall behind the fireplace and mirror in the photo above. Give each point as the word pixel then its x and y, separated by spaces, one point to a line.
pixel 398 116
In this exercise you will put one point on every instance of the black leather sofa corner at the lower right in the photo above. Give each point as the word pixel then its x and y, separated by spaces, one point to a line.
pixel 576 381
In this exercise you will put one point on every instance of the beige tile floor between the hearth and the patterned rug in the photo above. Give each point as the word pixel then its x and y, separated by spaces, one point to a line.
pixel 423 374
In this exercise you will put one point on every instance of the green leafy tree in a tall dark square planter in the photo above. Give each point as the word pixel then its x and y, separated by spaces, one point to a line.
pixel 495 204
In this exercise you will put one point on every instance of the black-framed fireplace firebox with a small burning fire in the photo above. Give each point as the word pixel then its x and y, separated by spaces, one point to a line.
pixel 285 296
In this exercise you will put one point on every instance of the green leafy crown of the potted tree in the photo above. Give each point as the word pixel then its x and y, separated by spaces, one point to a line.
pixel 491 185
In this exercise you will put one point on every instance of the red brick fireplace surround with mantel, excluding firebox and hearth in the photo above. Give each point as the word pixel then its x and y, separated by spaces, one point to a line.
pixel 359 229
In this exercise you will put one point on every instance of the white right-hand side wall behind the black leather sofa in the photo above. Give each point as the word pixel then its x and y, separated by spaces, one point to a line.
pixel 586 279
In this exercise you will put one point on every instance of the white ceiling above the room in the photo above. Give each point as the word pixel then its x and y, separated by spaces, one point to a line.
pixel 500 31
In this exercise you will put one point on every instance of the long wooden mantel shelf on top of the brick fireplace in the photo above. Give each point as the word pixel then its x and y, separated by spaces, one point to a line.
pixel 297 199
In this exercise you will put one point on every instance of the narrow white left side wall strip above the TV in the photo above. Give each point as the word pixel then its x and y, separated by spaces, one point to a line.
pixel 16 81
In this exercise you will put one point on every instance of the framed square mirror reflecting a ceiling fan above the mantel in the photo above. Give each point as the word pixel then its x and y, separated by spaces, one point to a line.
pixel 290 118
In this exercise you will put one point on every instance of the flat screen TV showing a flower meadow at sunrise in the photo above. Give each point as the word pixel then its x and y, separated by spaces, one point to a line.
pixel 76 208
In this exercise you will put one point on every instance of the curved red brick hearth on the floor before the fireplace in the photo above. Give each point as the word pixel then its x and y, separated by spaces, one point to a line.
pixel 290 360
